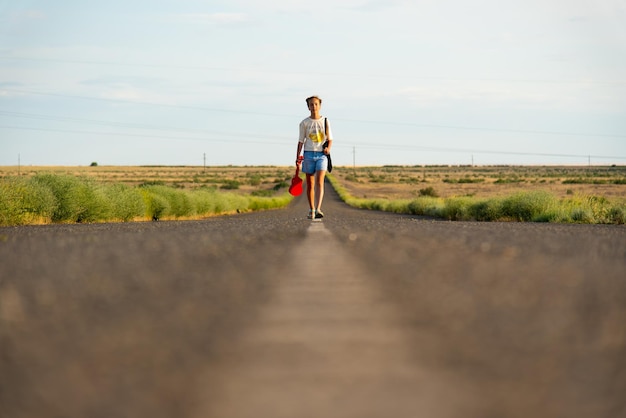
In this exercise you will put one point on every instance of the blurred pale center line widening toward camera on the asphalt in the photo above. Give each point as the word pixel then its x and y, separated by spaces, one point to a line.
pixel 327 345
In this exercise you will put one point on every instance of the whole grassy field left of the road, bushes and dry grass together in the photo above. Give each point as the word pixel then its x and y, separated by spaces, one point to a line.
pixel 34 195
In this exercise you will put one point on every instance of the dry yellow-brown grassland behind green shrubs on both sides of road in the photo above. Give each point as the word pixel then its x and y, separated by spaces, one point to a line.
pixel 390 182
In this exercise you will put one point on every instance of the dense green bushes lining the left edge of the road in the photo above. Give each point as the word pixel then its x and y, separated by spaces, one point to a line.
pixel 64 198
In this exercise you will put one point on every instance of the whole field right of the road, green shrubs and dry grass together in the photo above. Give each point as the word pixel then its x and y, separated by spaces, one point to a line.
pixel 534 202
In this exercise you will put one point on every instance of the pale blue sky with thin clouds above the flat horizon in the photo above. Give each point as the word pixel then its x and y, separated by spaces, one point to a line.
pixel 403 82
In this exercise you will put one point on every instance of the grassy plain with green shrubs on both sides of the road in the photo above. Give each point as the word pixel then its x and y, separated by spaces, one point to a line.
pixel 487 193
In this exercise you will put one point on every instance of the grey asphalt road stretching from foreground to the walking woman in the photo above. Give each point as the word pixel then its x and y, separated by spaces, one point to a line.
pixel 270 315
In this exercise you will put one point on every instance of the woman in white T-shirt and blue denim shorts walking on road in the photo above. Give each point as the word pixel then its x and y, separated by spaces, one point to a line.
pixel 314 131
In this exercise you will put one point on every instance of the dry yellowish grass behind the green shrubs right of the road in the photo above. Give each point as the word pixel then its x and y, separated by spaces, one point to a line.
pixel 406 182
